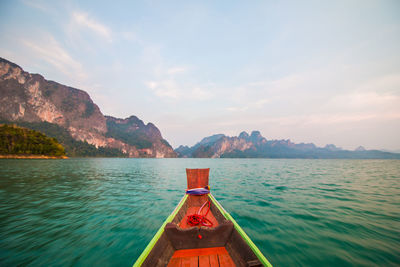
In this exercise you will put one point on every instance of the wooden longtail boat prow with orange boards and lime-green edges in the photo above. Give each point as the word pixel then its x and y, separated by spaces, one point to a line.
pixel 199 232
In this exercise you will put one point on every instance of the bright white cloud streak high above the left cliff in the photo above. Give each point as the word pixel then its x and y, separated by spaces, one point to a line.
pixel 83 20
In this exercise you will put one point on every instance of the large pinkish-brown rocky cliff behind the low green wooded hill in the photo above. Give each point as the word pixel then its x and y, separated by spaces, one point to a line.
pixel 31 98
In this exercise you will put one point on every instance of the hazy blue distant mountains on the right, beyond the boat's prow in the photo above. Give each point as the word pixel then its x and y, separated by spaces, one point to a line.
pixel 256 146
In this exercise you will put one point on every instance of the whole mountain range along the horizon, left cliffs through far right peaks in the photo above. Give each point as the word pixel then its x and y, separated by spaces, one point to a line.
pixel 70 116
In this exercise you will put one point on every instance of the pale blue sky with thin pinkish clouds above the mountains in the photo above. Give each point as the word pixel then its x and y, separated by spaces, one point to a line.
pixel 326 72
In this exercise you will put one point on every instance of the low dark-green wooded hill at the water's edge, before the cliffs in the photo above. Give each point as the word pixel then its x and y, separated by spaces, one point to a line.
pixel 18 142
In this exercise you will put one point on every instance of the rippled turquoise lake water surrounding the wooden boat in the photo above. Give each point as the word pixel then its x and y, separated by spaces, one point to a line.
pixel 86 212
